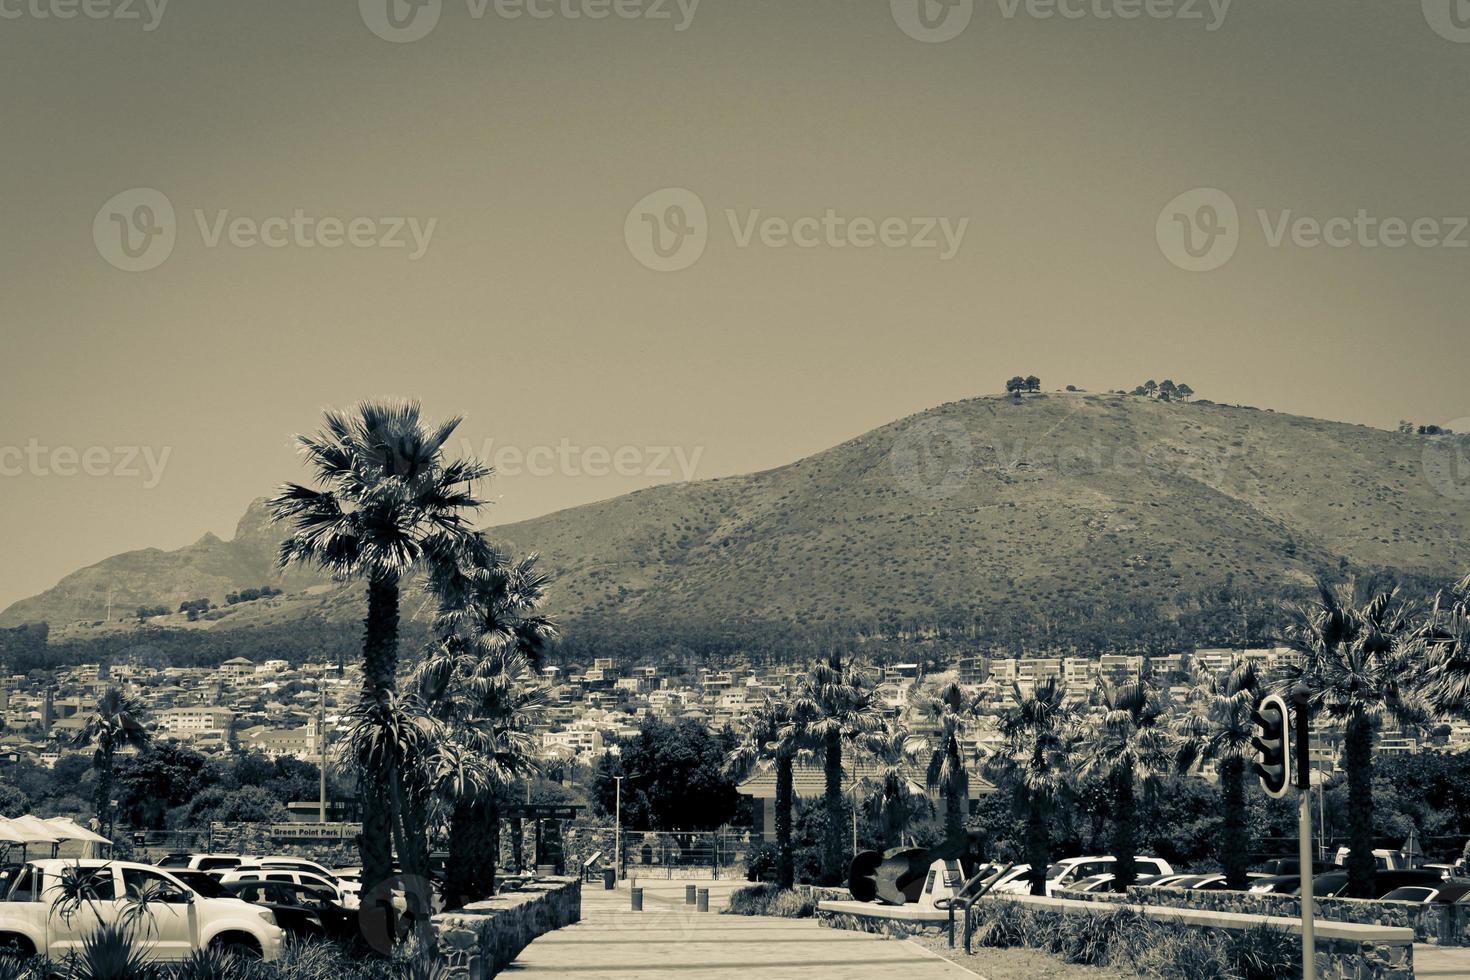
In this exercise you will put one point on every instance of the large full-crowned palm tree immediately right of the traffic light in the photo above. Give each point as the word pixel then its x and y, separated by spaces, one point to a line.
pixel 1359 666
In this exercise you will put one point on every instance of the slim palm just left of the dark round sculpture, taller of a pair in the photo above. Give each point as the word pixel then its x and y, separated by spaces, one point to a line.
pixel 840 697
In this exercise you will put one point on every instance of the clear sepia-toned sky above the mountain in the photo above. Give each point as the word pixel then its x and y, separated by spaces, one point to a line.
pixel 634 242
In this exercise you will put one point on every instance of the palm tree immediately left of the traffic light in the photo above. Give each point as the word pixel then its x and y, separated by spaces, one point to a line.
pixel 1218 729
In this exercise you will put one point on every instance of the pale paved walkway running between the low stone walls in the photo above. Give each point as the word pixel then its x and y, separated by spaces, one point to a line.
pixel 668 940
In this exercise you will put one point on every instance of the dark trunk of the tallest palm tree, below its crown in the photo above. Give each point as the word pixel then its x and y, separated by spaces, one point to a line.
pixel 380 678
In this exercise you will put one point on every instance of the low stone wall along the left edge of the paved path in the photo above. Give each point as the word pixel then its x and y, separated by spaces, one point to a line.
pixel 484 938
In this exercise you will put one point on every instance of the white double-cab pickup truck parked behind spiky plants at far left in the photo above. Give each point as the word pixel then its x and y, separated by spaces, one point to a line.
pixel 35 918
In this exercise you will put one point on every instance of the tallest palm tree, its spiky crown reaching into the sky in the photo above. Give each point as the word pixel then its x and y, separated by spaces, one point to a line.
pixel 386 502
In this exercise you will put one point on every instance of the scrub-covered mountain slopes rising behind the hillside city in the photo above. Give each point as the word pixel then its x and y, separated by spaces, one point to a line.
pixel 1041 509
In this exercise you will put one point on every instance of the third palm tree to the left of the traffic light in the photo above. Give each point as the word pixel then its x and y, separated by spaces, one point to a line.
pixel 1039 735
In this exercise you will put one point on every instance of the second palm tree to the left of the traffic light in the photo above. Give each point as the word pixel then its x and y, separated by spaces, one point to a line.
pixel 1133 746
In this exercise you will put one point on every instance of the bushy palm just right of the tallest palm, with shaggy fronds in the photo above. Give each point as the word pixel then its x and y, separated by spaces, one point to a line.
pixel 480 681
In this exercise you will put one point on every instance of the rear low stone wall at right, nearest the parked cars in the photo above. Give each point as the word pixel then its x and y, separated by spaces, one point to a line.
pixel 1441 925
